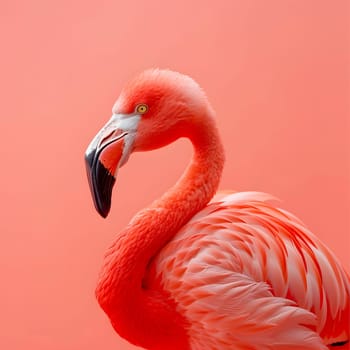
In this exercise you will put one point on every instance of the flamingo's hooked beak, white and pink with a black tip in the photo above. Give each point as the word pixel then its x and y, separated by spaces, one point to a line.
pixel 107 152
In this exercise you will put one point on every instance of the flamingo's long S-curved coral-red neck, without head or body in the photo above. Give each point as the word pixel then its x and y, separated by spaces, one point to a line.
pixel 119 291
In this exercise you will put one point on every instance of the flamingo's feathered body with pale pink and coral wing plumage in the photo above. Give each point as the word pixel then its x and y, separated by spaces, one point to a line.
pixel 252 274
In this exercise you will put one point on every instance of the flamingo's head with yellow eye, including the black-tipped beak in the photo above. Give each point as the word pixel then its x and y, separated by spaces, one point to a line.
pixel 153 110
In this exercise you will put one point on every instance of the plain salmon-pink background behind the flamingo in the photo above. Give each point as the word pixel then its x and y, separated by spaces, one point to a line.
pixel 277 73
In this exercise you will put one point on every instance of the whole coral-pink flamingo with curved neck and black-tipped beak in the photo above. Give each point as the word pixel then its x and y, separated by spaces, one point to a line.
pixel 196 272
